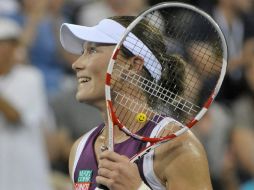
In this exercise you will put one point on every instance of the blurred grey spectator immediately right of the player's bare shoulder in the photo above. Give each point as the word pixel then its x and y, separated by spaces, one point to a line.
pixel 212 130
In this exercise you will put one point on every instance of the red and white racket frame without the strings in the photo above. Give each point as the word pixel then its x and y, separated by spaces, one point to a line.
pixel 112 118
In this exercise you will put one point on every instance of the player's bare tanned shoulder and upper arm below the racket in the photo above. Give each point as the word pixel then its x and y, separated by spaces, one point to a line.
pixel 182 164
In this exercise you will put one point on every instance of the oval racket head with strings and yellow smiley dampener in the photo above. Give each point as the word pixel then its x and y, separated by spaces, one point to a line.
pixel 169 63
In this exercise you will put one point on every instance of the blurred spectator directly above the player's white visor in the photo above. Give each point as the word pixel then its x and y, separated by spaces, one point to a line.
pixel 91 13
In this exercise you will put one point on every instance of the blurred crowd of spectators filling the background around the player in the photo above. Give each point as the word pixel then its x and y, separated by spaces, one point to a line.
pixel 40 118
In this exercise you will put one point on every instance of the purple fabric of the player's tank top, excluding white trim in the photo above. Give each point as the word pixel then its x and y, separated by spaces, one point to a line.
pixel 87 166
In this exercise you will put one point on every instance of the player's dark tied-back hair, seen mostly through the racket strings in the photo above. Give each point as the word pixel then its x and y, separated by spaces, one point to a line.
pixel 172 73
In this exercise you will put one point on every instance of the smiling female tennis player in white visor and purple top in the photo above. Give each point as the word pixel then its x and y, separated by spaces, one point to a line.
pixel 178 164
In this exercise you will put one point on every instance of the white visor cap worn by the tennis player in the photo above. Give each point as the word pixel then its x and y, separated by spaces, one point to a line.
pixel 108 31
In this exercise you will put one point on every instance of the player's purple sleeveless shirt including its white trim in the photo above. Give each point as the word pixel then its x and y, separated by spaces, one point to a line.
pixel 85 164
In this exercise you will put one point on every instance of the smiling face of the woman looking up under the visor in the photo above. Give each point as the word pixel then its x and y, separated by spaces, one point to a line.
pixel 91 70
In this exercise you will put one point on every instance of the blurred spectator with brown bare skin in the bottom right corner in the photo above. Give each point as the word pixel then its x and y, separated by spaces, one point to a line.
pixel 237 170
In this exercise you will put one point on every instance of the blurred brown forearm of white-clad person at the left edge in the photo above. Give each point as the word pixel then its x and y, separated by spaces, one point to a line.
pixel 9 112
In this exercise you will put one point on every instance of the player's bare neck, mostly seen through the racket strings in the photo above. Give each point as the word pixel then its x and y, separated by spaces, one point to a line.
pixel 127 108
